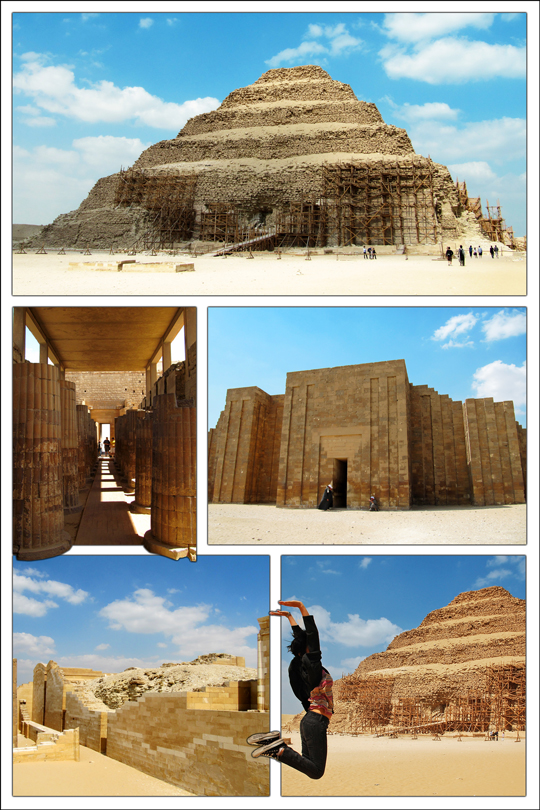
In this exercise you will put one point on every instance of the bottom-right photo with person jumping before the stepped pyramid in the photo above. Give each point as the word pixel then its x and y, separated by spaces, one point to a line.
pixel 385 655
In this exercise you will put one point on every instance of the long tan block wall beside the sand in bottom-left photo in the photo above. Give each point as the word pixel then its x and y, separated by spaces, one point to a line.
pixel 202 751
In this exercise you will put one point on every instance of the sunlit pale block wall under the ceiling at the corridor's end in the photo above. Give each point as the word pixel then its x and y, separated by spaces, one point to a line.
pixel 96 387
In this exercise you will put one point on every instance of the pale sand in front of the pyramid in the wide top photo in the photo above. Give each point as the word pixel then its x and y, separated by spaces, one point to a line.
pixel 265 274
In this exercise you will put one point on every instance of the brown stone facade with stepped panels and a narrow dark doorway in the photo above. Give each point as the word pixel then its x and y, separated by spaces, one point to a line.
pixel 369 431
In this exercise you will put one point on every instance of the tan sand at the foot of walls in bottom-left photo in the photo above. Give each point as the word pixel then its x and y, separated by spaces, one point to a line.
pixel 93 775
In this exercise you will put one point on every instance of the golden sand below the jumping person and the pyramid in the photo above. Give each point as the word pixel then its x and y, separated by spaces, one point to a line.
pixel 370 766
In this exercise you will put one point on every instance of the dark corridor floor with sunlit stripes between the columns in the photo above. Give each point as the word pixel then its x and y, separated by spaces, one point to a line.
pixel 106 518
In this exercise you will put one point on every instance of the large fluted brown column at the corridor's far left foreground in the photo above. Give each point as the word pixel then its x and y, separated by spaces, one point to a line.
pixel 38 513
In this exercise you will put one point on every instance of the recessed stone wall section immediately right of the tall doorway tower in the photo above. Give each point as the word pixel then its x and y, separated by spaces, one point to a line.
pixel 438 450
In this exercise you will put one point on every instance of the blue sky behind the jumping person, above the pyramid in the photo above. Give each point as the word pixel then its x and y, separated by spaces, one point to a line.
pixel 360 603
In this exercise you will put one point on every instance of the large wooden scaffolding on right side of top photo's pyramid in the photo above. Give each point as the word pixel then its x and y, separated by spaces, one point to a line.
pixel 388 204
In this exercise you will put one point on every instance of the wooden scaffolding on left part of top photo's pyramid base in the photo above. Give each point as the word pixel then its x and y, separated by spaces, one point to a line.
pixel 168 202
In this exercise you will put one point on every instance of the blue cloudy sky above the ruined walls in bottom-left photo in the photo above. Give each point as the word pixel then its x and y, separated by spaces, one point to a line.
pixel 109 613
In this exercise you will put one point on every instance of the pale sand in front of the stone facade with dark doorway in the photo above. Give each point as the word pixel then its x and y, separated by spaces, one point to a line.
pixel 254 524
